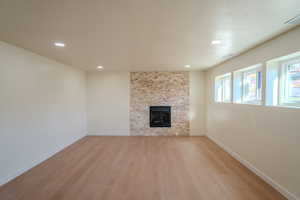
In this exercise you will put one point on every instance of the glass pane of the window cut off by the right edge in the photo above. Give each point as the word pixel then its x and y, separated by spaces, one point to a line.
pixel 293 82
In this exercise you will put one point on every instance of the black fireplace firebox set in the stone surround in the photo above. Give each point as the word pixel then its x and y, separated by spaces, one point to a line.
pixel 160 116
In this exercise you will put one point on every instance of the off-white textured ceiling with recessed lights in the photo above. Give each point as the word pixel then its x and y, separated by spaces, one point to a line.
pixel 142 35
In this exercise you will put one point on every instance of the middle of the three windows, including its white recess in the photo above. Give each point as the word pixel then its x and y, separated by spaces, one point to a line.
pixel 248 85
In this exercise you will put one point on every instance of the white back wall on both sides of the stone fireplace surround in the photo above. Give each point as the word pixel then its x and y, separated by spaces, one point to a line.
pixel 108 95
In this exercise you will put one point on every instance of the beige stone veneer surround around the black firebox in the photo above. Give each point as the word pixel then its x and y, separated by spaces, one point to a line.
pixel 159 89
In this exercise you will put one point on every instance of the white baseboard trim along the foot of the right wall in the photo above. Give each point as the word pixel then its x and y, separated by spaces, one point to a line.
pixel 259 173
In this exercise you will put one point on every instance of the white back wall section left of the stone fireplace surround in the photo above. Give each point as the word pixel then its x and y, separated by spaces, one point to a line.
pixel 108 103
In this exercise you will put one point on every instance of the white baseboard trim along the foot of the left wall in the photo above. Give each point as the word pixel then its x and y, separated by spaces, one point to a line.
pixel 34 163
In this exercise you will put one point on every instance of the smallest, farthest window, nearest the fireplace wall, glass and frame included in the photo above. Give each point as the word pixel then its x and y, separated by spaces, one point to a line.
pixel 223 88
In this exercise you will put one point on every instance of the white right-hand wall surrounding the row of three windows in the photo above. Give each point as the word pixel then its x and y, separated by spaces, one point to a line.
pixel 267 137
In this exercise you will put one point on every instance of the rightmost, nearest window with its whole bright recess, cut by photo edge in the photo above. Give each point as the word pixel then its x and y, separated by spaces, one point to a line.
pixel 283 81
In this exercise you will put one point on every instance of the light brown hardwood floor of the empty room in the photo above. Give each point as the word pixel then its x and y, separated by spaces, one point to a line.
pixel 139 168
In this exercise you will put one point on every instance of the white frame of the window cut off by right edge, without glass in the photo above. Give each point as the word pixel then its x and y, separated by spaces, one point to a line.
pixel 282 93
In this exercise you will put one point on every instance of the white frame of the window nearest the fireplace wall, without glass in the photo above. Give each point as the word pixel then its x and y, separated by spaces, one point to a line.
pixel 221 80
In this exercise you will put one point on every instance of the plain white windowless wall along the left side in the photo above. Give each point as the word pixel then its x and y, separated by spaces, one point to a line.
pixel 42 109
